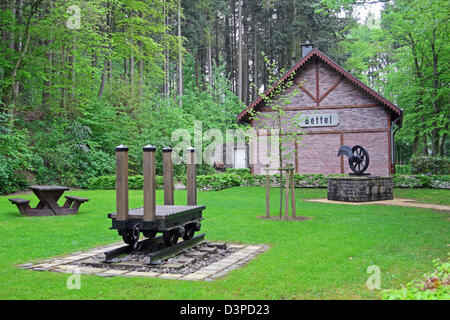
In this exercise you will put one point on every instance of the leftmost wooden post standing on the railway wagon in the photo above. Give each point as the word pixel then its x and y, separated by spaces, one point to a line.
pixel 121 183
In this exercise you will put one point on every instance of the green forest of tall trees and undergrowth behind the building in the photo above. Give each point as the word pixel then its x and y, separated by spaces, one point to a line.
pixel 79 77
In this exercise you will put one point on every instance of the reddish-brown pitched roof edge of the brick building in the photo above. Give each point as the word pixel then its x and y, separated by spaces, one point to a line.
pixel 398 113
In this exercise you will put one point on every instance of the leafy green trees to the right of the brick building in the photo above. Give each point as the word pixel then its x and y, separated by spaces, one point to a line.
pixel 405 57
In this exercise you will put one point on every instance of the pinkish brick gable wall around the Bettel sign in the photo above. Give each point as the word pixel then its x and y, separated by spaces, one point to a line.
pixel 363 121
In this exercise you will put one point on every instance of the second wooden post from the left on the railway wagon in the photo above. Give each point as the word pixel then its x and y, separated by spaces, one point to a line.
pixel 149 183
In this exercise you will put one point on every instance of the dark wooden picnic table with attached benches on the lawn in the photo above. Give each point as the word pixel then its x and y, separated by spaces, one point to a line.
pixel 48 202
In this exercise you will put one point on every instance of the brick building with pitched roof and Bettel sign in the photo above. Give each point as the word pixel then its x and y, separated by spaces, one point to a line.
pixel 338 110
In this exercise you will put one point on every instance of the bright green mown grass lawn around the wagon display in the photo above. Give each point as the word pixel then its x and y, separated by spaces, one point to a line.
pixel 322 258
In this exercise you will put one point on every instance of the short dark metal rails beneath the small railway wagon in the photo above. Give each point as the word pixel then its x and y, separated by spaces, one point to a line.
pixel 158 251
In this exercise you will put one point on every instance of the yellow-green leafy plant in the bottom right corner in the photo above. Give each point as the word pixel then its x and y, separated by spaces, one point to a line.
pixel 433 286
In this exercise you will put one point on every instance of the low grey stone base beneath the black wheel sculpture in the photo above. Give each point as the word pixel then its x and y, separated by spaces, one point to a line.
pixel 360 188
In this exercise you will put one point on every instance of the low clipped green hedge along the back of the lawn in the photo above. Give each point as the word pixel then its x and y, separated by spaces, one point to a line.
pixel 243 178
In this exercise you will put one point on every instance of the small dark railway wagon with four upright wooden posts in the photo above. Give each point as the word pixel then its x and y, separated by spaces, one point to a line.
pixel 173 221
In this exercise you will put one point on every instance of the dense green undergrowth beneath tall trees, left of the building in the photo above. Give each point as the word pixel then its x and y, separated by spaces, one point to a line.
pixel 73 150
